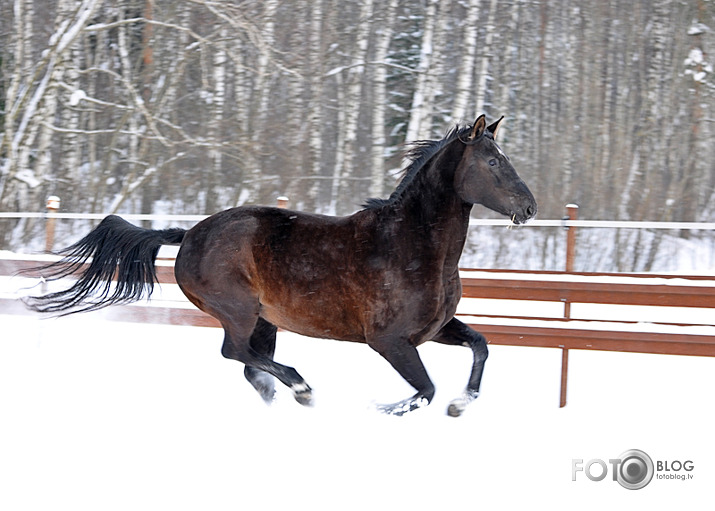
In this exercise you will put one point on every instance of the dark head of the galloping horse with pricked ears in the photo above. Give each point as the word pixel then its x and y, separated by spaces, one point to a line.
pixel 486 176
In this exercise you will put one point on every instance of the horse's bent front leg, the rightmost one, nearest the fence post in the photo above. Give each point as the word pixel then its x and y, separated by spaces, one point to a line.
pixel 457 333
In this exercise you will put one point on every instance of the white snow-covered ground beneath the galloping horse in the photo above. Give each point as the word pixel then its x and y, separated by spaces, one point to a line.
pixel 102 415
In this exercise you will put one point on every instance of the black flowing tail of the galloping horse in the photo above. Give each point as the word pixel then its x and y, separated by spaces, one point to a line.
pixel 113 242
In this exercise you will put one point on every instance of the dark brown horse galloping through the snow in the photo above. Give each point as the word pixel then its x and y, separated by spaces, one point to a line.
pixel 386 275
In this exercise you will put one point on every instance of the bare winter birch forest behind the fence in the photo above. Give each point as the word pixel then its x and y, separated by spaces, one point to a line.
pixel 194 106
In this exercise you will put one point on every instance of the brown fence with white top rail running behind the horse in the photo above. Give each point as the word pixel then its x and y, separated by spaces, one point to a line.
pixel 538 309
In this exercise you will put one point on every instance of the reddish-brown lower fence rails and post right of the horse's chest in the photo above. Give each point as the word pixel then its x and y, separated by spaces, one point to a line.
pixel 662 292
